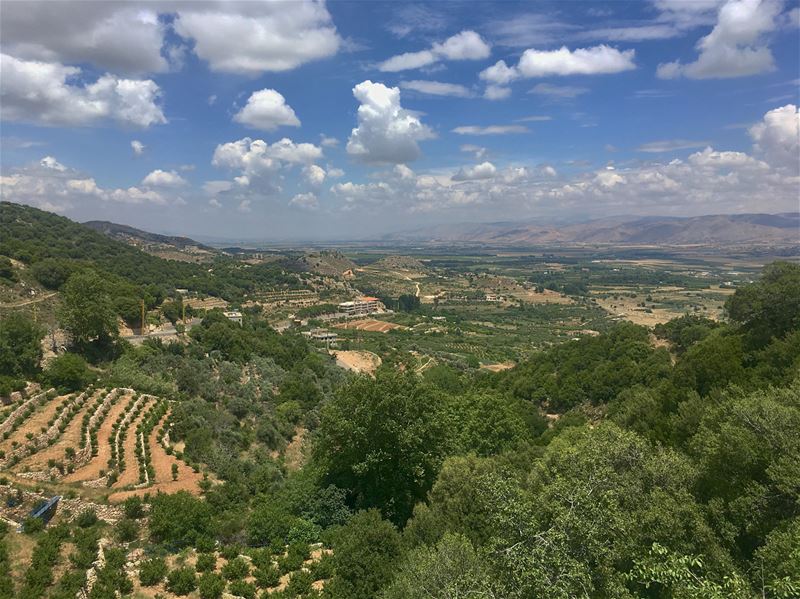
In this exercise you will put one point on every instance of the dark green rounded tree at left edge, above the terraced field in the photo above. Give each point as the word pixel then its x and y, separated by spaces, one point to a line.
pixel 20 346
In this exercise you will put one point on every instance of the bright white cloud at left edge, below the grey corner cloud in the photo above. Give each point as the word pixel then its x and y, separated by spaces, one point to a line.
pixel 39 93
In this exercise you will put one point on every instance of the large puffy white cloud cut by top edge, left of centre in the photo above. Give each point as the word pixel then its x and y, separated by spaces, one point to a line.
pixel 255 37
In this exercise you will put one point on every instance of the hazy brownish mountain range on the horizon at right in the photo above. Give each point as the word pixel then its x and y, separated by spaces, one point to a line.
pixel 750 229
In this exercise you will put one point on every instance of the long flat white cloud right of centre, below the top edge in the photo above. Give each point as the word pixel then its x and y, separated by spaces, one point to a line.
pixel 596 60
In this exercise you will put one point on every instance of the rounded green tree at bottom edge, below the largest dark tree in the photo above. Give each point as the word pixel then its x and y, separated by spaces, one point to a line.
pixel 365 552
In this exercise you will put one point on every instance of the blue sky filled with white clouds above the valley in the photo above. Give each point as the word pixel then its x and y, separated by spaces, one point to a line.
pixel 305 120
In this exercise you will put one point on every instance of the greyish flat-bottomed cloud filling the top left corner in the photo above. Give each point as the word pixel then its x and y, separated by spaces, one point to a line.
pixel 113 36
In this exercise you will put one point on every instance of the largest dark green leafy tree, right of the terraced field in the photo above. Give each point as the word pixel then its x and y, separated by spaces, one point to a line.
pixel 383 440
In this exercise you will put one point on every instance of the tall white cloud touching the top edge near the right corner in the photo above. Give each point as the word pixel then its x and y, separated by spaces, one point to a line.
pixel 735 47
